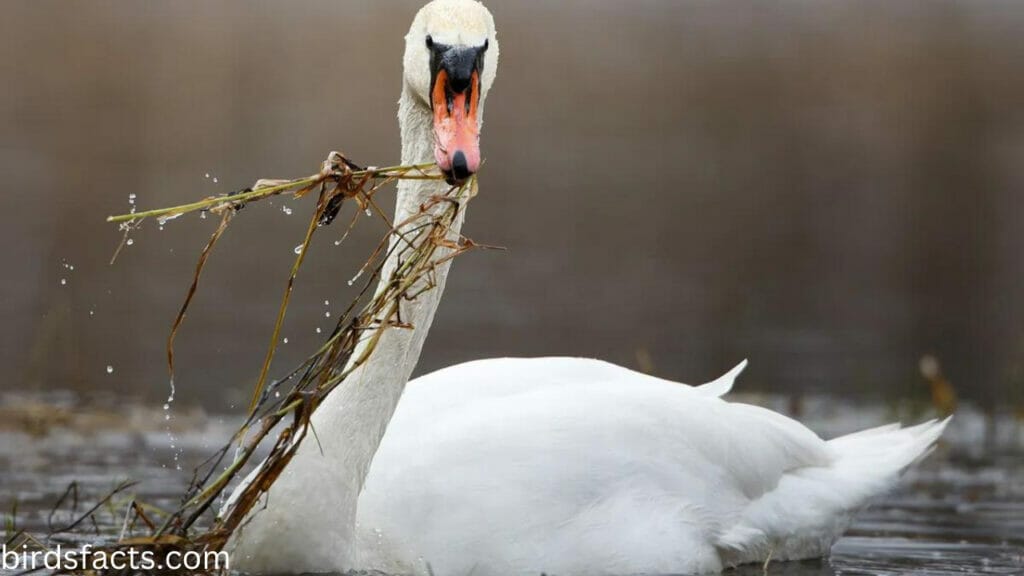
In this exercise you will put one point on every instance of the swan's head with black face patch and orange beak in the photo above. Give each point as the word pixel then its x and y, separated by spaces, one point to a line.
pixel 451 61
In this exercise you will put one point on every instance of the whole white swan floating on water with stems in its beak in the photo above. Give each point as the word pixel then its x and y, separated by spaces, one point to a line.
pixel 561 466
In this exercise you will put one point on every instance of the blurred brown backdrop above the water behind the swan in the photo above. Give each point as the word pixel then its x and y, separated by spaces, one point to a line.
pixel 830 189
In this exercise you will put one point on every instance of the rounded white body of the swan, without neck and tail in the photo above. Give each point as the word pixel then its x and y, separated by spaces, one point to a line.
pixel 572 467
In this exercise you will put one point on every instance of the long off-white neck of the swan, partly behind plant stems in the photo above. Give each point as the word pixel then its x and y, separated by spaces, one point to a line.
pixel 352 422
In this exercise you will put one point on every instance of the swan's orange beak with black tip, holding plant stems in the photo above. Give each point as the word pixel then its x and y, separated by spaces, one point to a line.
pixel 457 132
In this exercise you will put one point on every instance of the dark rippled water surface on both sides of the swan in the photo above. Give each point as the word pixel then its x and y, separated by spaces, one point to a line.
pixel 962 512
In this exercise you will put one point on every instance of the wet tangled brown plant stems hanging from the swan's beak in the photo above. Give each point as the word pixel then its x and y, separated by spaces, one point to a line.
pixel 288 403
